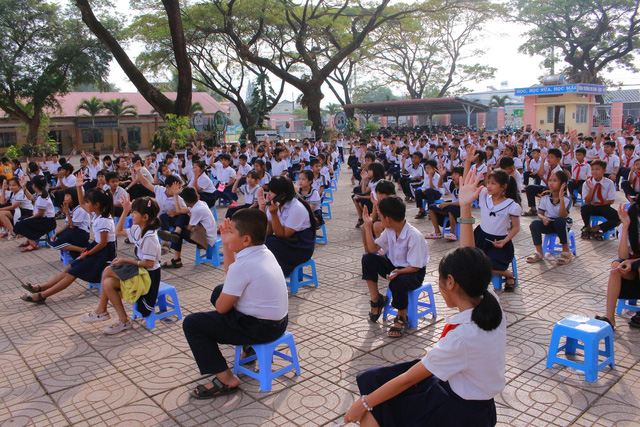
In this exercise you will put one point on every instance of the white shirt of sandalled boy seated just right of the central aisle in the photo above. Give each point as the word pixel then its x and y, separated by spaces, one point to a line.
pixel 408 249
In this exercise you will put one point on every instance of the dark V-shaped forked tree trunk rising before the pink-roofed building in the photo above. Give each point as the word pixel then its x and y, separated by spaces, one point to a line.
pixel 173 21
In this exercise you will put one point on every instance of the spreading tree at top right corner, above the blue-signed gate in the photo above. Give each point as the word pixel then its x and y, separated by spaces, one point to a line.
pixel 591 36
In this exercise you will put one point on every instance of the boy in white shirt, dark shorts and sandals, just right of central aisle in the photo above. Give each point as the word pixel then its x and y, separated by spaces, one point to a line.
pixel 404 267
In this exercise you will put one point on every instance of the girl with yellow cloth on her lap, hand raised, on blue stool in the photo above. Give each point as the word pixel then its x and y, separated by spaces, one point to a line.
pixel 136 280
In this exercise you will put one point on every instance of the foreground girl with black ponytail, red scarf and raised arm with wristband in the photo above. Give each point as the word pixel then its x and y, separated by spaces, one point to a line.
pixel 455 383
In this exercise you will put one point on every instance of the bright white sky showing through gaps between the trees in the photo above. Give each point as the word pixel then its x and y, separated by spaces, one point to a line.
pixel 499 40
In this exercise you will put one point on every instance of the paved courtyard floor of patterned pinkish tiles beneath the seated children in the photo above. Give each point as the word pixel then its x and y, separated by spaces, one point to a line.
pixel 57 370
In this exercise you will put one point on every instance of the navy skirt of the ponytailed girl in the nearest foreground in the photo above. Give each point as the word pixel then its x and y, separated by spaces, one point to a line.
pixel 431 402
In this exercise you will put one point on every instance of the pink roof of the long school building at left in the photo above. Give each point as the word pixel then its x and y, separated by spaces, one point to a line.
pixel 70 102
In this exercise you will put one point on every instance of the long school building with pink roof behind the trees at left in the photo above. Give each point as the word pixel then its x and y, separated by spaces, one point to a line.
pixel 75 132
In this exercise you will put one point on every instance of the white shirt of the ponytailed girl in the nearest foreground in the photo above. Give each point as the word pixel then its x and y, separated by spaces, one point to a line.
pixel 472 360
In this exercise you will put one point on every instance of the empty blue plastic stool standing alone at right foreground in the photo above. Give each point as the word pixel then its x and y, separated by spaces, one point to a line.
pixel 588 331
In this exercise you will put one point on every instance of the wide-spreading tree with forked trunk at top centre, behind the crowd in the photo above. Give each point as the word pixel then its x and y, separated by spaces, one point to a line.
pixel 302 44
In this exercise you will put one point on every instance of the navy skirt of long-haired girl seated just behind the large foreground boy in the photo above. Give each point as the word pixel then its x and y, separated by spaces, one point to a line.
pixel 292 251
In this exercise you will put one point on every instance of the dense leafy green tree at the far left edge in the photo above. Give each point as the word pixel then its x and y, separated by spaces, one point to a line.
pixel 44 52
